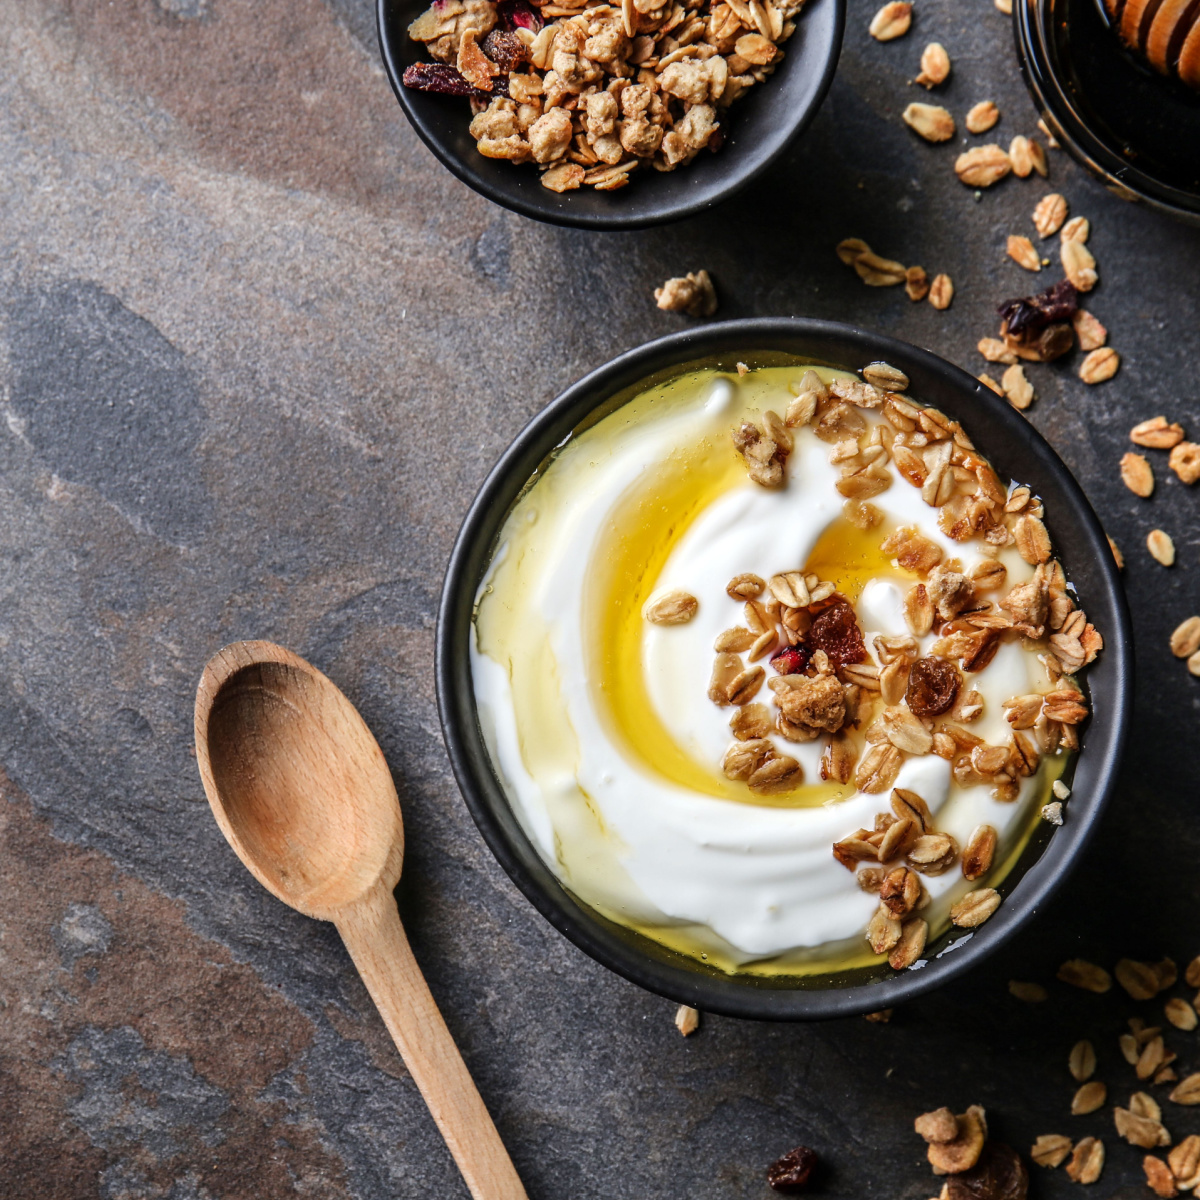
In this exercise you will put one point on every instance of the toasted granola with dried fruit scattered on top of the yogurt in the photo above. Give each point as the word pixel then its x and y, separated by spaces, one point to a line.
pixel 874 707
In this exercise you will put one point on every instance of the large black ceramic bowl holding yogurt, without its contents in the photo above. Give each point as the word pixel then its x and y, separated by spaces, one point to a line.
pixel 1012 445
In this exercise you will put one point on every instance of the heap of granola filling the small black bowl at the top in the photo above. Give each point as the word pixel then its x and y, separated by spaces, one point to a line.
pixel 592 92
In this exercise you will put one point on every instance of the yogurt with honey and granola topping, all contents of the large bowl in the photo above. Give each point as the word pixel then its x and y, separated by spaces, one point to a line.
pixel 779 673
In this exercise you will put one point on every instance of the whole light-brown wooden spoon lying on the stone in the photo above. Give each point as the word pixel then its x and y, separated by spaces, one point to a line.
pixel 303 794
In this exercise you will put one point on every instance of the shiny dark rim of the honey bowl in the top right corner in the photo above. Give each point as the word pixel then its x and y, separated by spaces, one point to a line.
pixel 1120 176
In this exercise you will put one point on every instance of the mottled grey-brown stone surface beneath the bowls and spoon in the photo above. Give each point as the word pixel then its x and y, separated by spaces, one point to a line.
pixel 257 350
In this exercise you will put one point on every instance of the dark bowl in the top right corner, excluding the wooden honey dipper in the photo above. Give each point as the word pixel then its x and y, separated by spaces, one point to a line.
pixel 1136 130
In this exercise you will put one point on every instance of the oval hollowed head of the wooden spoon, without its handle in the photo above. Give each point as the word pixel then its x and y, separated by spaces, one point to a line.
pixel 304 793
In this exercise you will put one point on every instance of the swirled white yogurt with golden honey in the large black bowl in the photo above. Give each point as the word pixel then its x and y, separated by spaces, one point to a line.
pixel 603 728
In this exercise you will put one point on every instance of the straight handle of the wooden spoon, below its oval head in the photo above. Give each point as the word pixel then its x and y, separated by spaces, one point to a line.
pixel 377 944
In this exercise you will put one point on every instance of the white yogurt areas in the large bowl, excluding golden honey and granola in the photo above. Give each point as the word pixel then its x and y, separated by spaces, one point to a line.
pixel 740 884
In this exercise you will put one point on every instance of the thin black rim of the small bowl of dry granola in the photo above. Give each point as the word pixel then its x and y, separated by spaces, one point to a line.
pixel 478 182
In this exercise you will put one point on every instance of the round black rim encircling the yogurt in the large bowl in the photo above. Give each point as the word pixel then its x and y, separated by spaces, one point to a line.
pixel 741 995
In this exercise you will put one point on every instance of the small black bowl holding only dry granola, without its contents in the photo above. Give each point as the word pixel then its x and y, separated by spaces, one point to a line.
pixel 759 128
